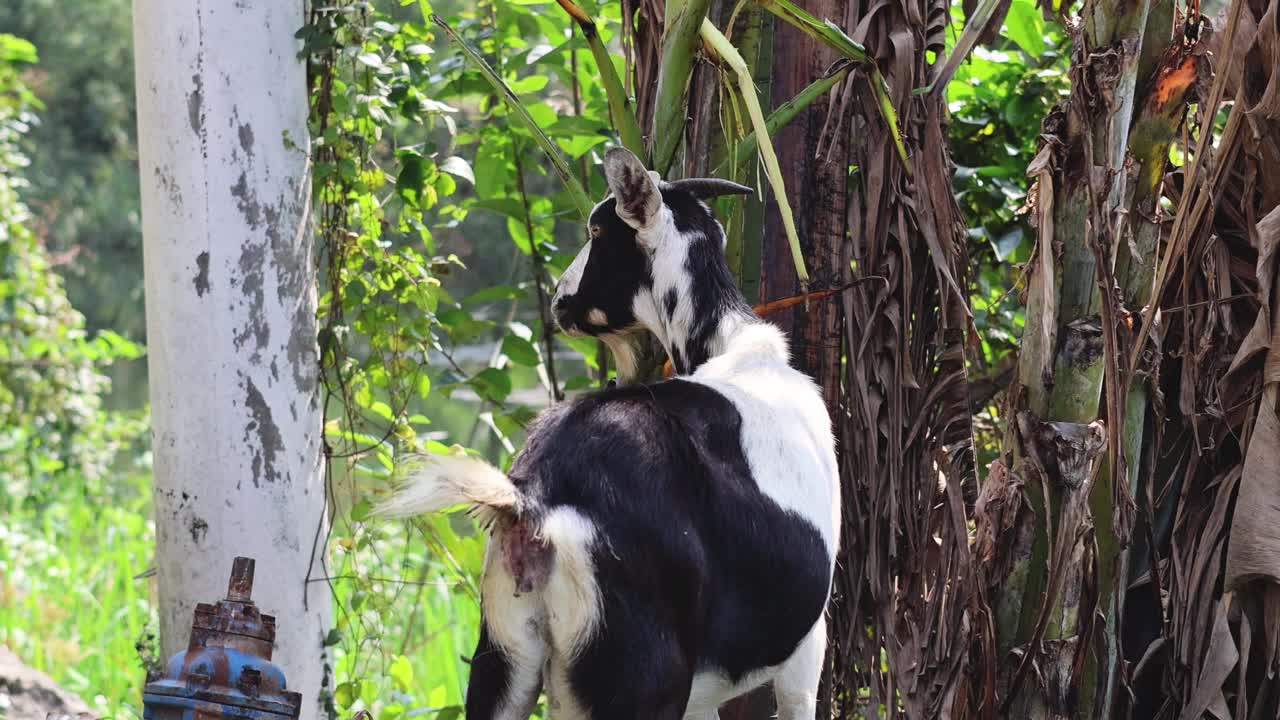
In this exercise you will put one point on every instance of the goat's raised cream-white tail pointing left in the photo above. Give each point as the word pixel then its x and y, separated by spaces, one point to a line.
pixel 440 482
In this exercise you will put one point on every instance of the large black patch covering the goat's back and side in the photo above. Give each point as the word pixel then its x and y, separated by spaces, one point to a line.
pixel 688 548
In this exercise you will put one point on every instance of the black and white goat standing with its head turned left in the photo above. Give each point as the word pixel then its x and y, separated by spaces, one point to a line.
pixel 660 549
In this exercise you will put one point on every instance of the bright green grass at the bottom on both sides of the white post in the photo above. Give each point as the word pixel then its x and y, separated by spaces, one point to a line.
pixel 74 605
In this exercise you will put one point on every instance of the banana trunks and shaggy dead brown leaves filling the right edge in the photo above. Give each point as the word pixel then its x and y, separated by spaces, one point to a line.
pixel 1163 344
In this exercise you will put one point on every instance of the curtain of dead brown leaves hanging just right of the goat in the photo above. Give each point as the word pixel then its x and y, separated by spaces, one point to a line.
pixel 908 607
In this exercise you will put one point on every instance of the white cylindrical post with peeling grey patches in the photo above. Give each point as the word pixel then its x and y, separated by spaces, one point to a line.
pixel 231 297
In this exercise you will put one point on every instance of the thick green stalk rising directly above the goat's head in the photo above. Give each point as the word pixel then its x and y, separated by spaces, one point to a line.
pixel 679 45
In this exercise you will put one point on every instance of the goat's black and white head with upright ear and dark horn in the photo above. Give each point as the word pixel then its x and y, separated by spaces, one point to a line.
pixel 655 248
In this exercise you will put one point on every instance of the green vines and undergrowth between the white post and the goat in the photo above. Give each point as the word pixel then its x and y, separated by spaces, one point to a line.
pixel 441 231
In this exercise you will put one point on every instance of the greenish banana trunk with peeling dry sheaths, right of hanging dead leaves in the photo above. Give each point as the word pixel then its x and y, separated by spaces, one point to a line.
pixel 1058 586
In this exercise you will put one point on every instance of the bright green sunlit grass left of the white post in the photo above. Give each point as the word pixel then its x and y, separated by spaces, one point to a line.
pixel 70 604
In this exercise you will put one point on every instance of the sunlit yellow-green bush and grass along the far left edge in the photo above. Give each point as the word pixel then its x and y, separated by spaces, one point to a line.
pixel 76 526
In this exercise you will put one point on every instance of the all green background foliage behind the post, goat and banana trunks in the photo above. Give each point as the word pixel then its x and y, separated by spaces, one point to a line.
pixel 444 229
